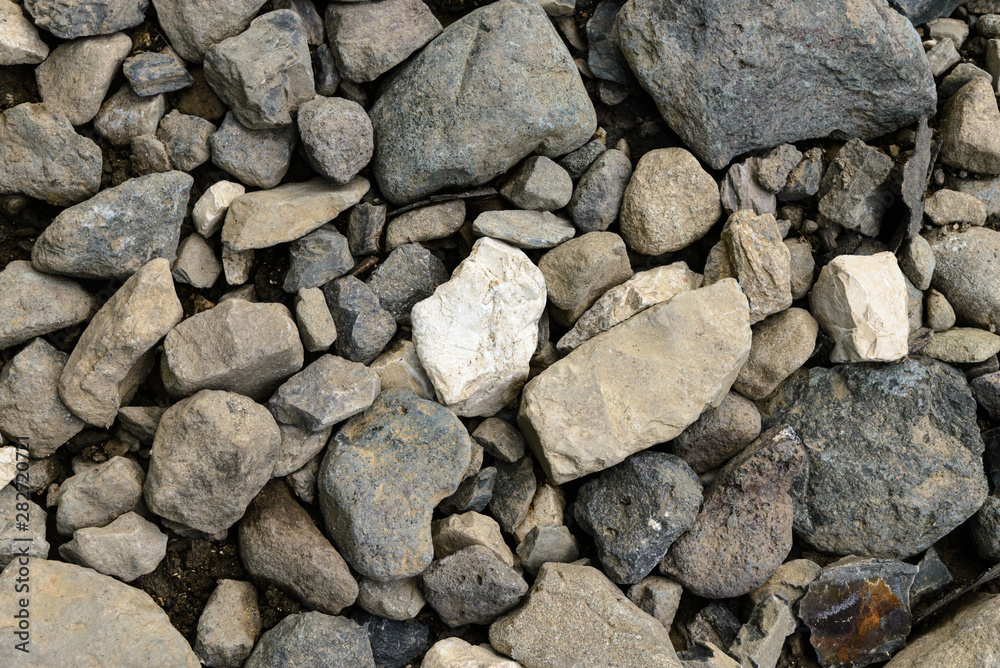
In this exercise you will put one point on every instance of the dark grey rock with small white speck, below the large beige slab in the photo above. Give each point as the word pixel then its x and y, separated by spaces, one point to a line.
pixel 636 510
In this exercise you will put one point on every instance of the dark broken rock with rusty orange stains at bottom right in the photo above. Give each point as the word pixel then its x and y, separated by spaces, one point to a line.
pixel 858 610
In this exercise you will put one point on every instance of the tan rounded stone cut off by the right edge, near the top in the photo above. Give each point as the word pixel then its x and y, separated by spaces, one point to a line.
pixel 969 124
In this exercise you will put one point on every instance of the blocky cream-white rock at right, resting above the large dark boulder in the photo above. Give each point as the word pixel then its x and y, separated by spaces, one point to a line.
pixel 861 303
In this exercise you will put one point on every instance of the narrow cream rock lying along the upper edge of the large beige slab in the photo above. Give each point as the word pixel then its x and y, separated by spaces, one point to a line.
pixel 644 289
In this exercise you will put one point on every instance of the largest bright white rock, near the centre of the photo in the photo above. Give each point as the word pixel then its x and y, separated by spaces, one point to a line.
pixel 476 334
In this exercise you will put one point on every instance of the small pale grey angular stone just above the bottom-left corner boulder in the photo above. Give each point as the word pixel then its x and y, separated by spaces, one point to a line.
pixel 125 549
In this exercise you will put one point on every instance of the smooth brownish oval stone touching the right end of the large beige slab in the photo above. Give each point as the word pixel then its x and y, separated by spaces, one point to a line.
pixel 781 344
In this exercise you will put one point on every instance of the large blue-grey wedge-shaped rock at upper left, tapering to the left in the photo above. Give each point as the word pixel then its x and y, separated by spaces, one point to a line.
pixel 118 230
